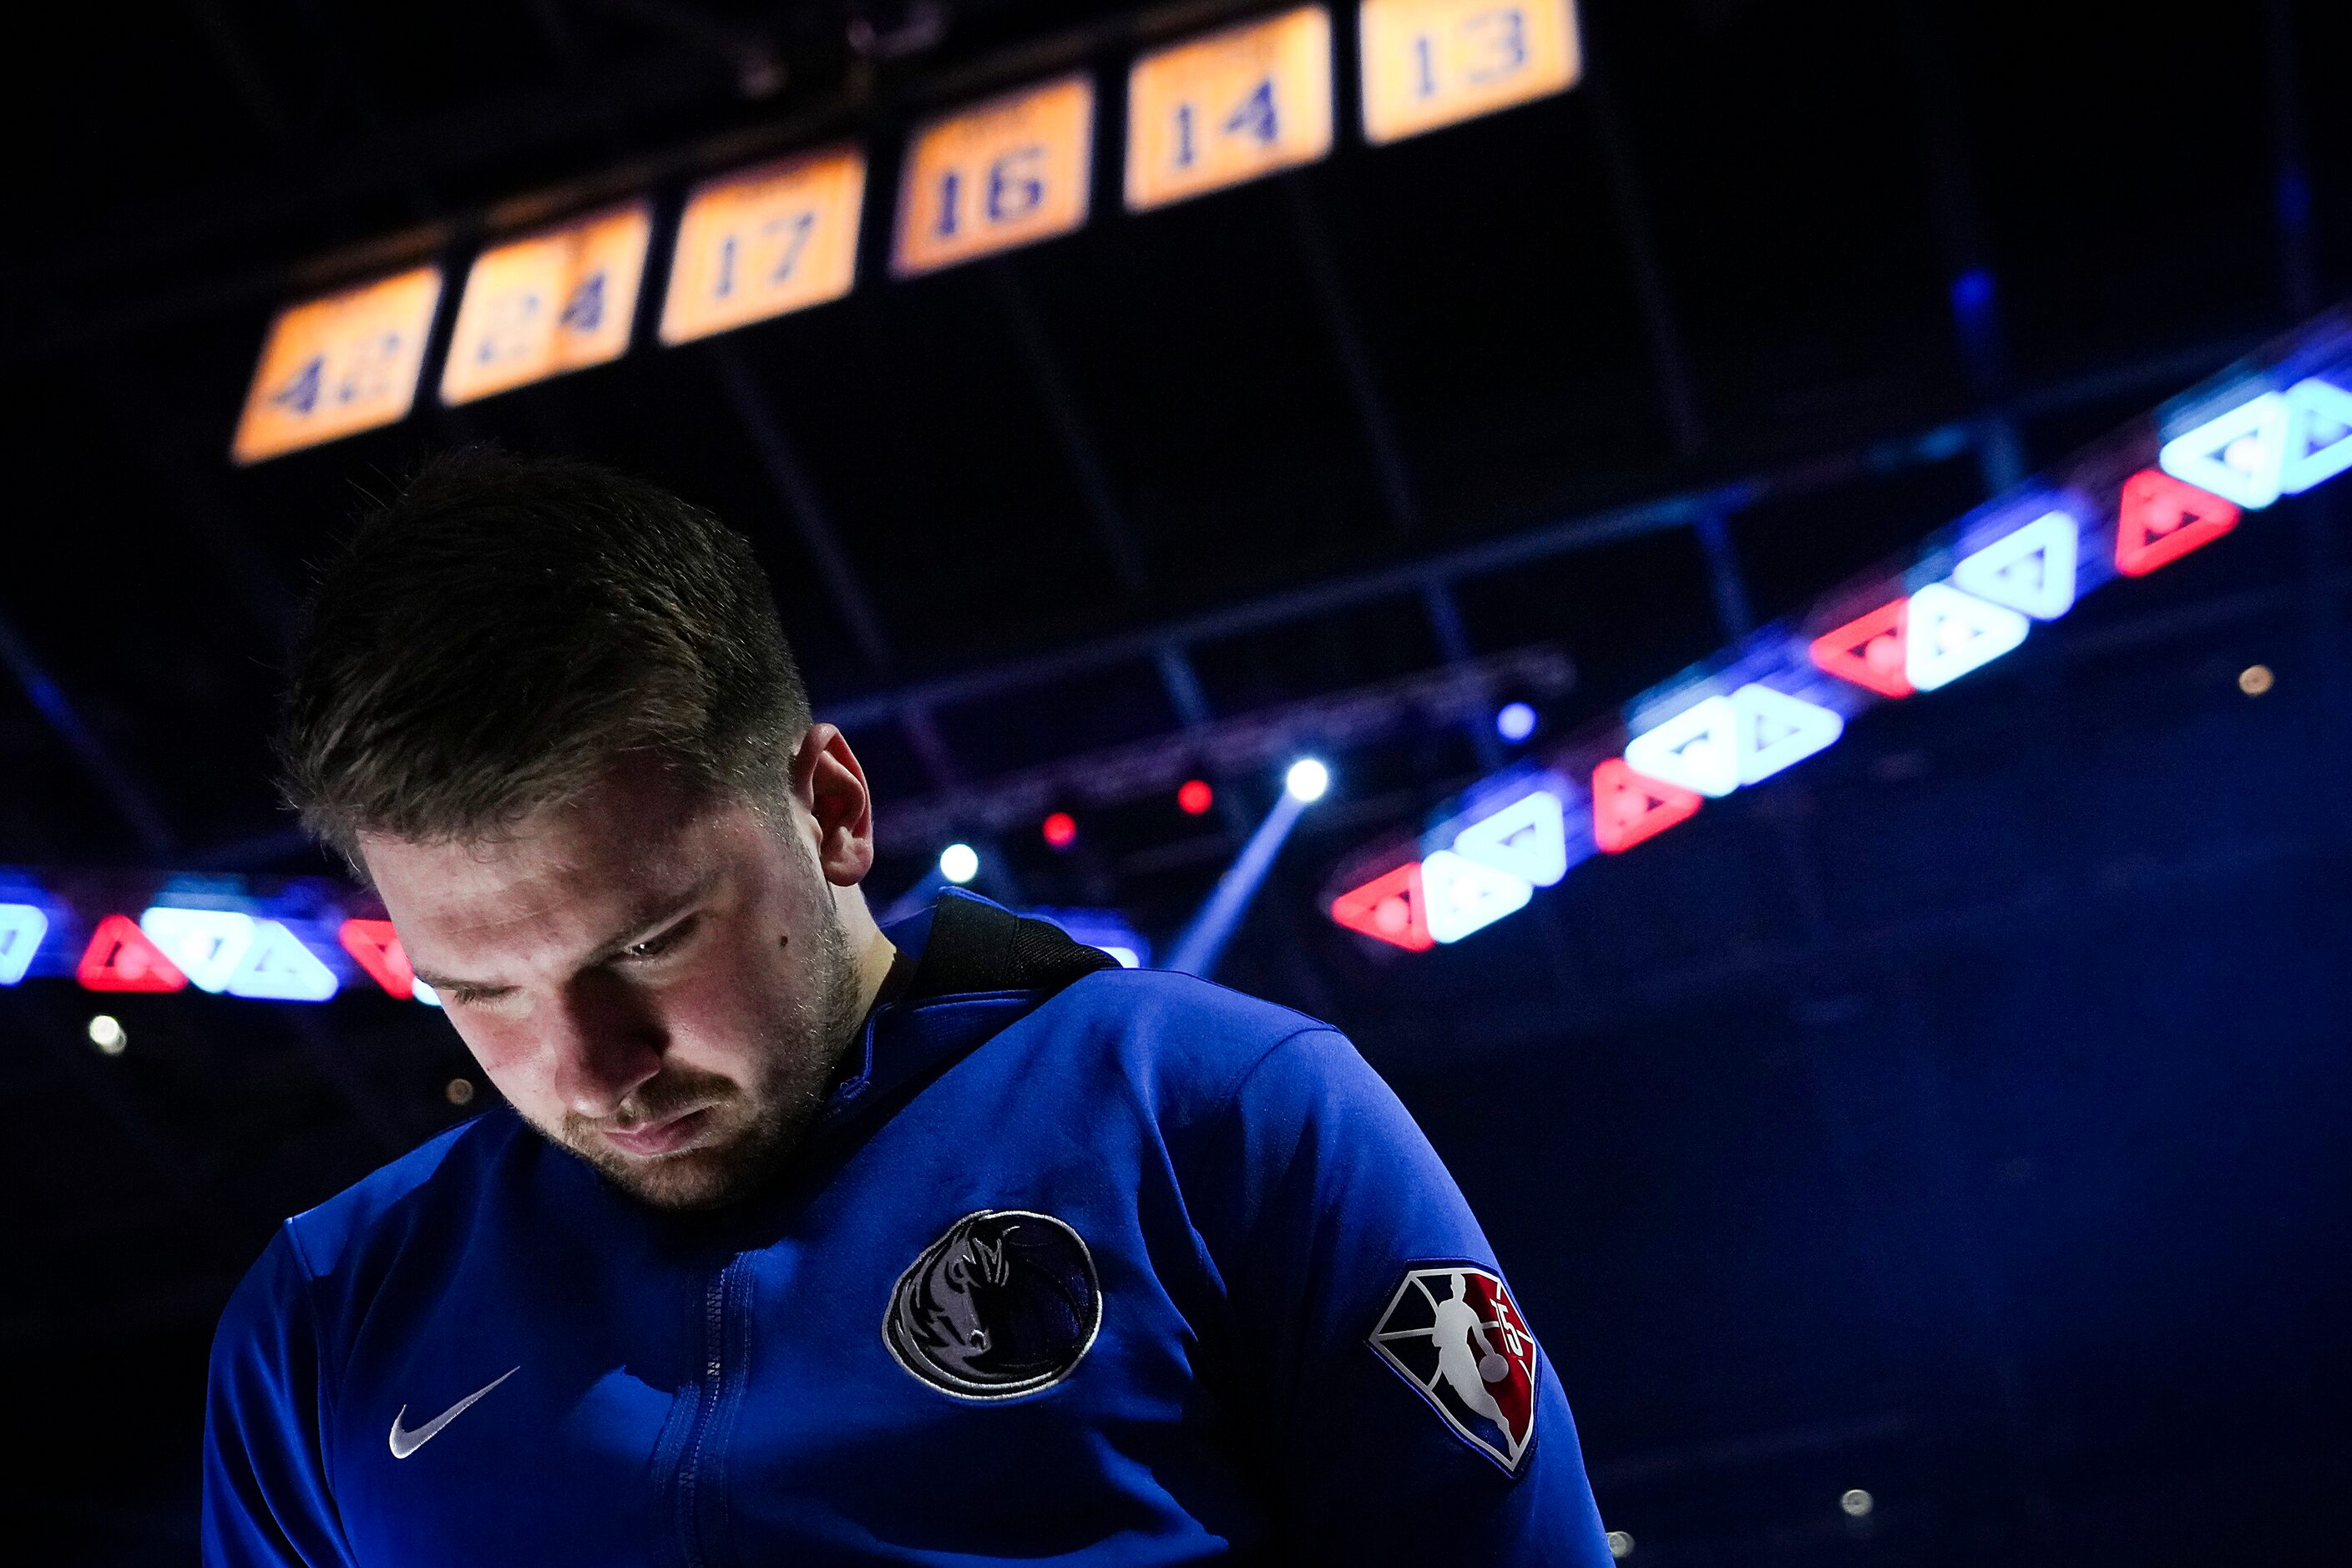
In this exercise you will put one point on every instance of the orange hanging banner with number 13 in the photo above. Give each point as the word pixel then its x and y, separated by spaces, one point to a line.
pixel 1438 62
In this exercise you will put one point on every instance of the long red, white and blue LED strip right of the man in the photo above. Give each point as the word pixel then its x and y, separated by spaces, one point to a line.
pixel 1963 601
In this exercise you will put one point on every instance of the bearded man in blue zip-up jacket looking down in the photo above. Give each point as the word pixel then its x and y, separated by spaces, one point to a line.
pixel 806 1240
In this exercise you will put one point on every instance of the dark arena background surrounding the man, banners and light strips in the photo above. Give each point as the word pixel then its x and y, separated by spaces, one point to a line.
pixel 1953 1118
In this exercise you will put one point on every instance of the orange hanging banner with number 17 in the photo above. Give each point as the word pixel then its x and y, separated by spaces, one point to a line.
pixel 763 243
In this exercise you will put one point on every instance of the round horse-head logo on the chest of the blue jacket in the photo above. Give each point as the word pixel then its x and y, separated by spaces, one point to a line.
pixel 1005 1304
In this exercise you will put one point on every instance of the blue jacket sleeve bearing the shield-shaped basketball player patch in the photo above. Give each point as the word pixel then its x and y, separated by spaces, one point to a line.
pixel 1330 1219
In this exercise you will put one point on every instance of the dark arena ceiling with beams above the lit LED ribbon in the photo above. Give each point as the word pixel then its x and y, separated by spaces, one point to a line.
pixel 996 502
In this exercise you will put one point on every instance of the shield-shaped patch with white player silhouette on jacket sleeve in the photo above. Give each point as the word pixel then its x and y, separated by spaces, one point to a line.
pixel 1457 1336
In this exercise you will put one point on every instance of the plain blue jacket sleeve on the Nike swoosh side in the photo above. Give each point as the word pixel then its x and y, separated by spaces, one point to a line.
pixel 267 1501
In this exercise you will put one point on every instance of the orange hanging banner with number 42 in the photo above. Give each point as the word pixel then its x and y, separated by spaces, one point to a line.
pixel 340 366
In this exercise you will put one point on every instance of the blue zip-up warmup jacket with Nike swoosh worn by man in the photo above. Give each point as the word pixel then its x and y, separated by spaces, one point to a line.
pixel 1078 1266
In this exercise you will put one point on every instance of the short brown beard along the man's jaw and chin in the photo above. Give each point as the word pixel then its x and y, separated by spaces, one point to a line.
pixel 754 1125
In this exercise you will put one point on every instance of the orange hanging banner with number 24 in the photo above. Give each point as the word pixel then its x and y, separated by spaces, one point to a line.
pixel 552 302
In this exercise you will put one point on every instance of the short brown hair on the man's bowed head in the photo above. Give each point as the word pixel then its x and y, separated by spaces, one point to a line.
pixel 497 631
